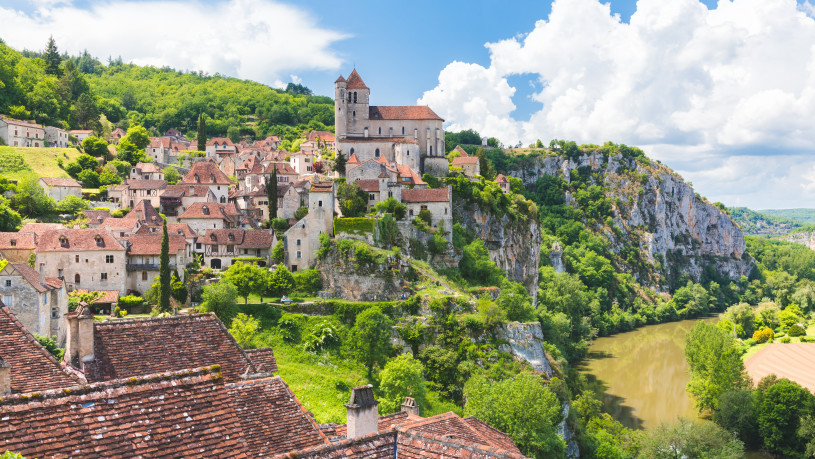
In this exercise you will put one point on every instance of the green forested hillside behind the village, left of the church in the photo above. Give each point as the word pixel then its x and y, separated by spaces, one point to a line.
pixel 73 92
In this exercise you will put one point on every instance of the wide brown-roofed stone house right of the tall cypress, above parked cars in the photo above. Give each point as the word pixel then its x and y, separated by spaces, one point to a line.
pixel 222 247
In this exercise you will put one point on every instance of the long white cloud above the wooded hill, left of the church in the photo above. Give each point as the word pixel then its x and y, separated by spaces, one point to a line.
pixel 254 39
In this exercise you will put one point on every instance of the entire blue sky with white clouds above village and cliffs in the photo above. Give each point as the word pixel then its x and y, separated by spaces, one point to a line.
pixel 723 91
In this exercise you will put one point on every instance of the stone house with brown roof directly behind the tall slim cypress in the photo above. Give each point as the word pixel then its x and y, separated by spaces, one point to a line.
pixel 144 258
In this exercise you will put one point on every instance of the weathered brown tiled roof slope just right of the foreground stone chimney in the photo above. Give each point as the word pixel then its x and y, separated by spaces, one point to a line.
pixel 127 348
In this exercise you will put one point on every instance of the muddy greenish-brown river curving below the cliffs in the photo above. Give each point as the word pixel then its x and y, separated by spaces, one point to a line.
pixel 643 374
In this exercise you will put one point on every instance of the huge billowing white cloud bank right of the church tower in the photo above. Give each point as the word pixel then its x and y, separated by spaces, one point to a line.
pixel 691 85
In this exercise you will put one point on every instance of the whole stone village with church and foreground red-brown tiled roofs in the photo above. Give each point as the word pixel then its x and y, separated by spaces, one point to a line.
pixel 201 392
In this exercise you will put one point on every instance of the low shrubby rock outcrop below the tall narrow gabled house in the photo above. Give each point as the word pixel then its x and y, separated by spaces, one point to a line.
pixel 345 278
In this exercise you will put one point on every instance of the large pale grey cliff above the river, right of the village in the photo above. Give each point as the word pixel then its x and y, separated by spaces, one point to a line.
pixel 678 231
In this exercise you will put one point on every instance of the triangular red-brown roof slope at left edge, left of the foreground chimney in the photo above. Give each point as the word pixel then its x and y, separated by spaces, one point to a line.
pixel 32 367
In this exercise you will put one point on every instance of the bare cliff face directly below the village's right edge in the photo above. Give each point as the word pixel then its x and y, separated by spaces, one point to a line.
pixel 514 245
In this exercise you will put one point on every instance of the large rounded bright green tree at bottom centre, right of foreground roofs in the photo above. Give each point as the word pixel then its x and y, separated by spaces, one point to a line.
pixel 524 408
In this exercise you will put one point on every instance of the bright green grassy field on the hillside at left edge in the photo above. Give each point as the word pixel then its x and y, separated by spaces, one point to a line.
pixel 17 163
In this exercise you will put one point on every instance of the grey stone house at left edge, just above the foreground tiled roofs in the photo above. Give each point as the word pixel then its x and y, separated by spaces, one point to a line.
pixel 39 303
